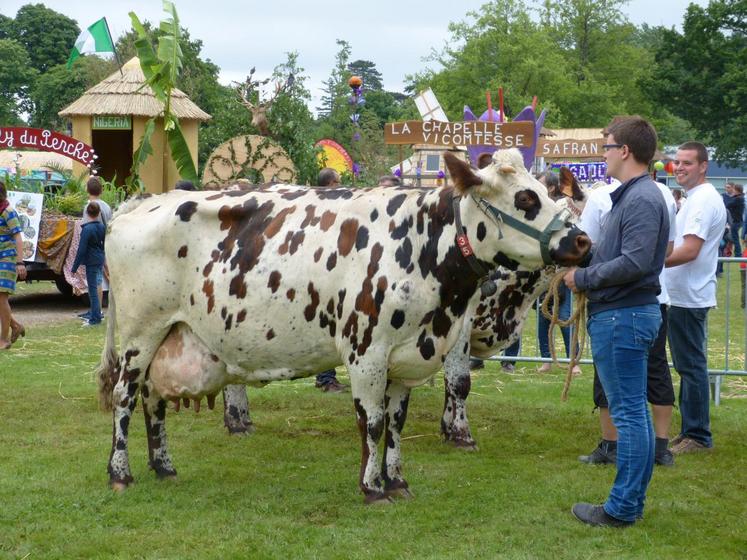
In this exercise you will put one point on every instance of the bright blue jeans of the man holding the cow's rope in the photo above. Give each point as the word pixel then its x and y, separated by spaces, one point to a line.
pixel 620 341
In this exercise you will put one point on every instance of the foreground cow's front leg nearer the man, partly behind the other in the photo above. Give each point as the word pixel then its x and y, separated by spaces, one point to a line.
pixel 397 399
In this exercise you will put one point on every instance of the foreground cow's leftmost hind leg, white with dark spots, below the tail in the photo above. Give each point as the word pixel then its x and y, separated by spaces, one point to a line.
pixel 124 399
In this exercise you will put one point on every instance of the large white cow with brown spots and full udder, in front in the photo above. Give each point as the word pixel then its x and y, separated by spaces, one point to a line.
pixel 251 287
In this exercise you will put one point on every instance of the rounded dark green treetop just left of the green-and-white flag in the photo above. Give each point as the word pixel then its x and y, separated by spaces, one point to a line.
pixel 47 36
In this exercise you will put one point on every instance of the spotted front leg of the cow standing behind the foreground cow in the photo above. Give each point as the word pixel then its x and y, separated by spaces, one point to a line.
pixel 457 382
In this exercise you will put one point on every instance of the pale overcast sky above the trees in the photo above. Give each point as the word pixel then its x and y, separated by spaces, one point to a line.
pixel 239 34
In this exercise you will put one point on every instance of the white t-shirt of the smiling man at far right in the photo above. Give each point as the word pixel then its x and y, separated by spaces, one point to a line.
pixel 693 284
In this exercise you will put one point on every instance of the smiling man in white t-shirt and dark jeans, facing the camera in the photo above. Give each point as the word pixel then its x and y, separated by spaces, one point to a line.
pixel 691 281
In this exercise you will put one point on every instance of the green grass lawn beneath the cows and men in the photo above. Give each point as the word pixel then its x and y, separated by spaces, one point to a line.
pixel 290 490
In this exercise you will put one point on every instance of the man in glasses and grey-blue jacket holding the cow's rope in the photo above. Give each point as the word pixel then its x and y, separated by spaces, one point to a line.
pixel 621 284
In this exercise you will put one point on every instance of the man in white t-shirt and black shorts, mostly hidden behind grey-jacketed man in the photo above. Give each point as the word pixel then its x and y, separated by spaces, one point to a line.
pixel 660 392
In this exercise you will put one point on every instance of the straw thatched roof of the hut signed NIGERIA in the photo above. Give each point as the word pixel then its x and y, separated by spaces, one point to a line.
pixel 125 94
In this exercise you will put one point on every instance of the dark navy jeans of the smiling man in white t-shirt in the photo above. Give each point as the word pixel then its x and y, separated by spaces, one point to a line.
pixel 687 330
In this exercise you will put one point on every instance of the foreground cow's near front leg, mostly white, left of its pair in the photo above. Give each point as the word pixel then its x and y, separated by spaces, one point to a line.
pixel 368 387
